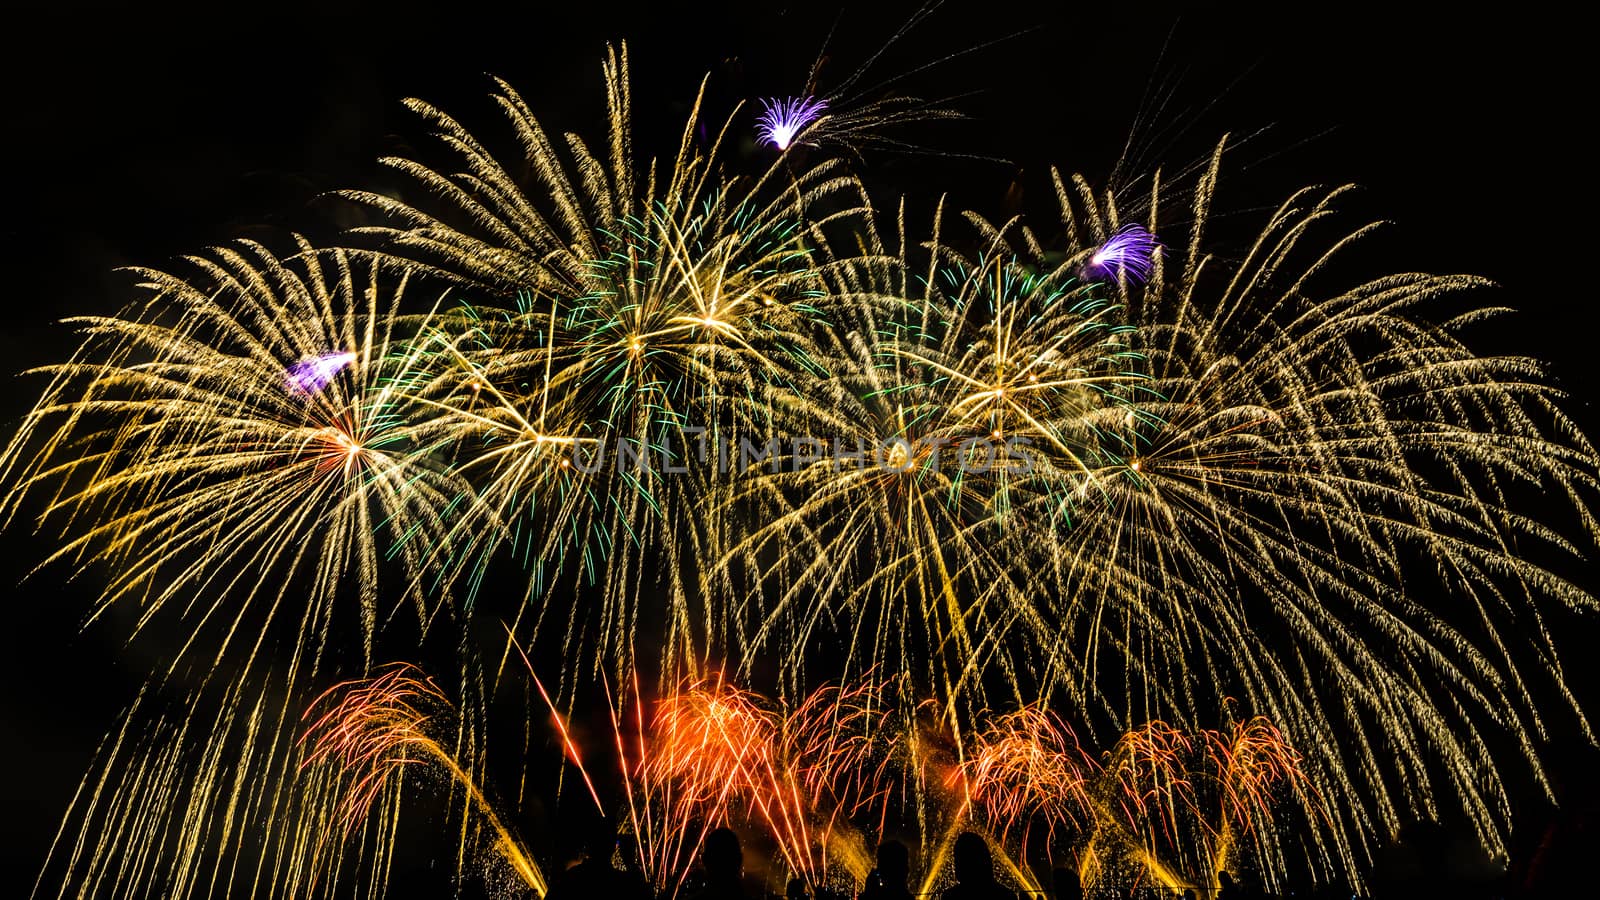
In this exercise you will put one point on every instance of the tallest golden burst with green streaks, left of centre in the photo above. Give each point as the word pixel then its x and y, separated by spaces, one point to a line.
pixel 649 297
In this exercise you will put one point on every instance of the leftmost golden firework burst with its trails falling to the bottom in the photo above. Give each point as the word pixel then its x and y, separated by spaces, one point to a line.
pixel 262 521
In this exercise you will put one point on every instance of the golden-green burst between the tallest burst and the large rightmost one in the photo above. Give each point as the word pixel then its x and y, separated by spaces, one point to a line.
pixel 948 396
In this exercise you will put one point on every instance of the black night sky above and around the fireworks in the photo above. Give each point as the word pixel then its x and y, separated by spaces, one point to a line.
pixel 134 139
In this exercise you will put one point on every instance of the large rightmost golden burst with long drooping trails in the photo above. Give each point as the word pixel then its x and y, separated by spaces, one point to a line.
pixel 1294 449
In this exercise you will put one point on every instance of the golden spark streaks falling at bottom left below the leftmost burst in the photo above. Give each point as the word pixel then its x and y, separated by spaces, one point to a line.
pixel 202 790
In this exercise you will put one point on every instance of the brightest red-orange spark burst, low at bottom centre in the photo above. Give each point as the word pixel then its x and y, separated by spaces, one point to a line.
pixel 716 755
